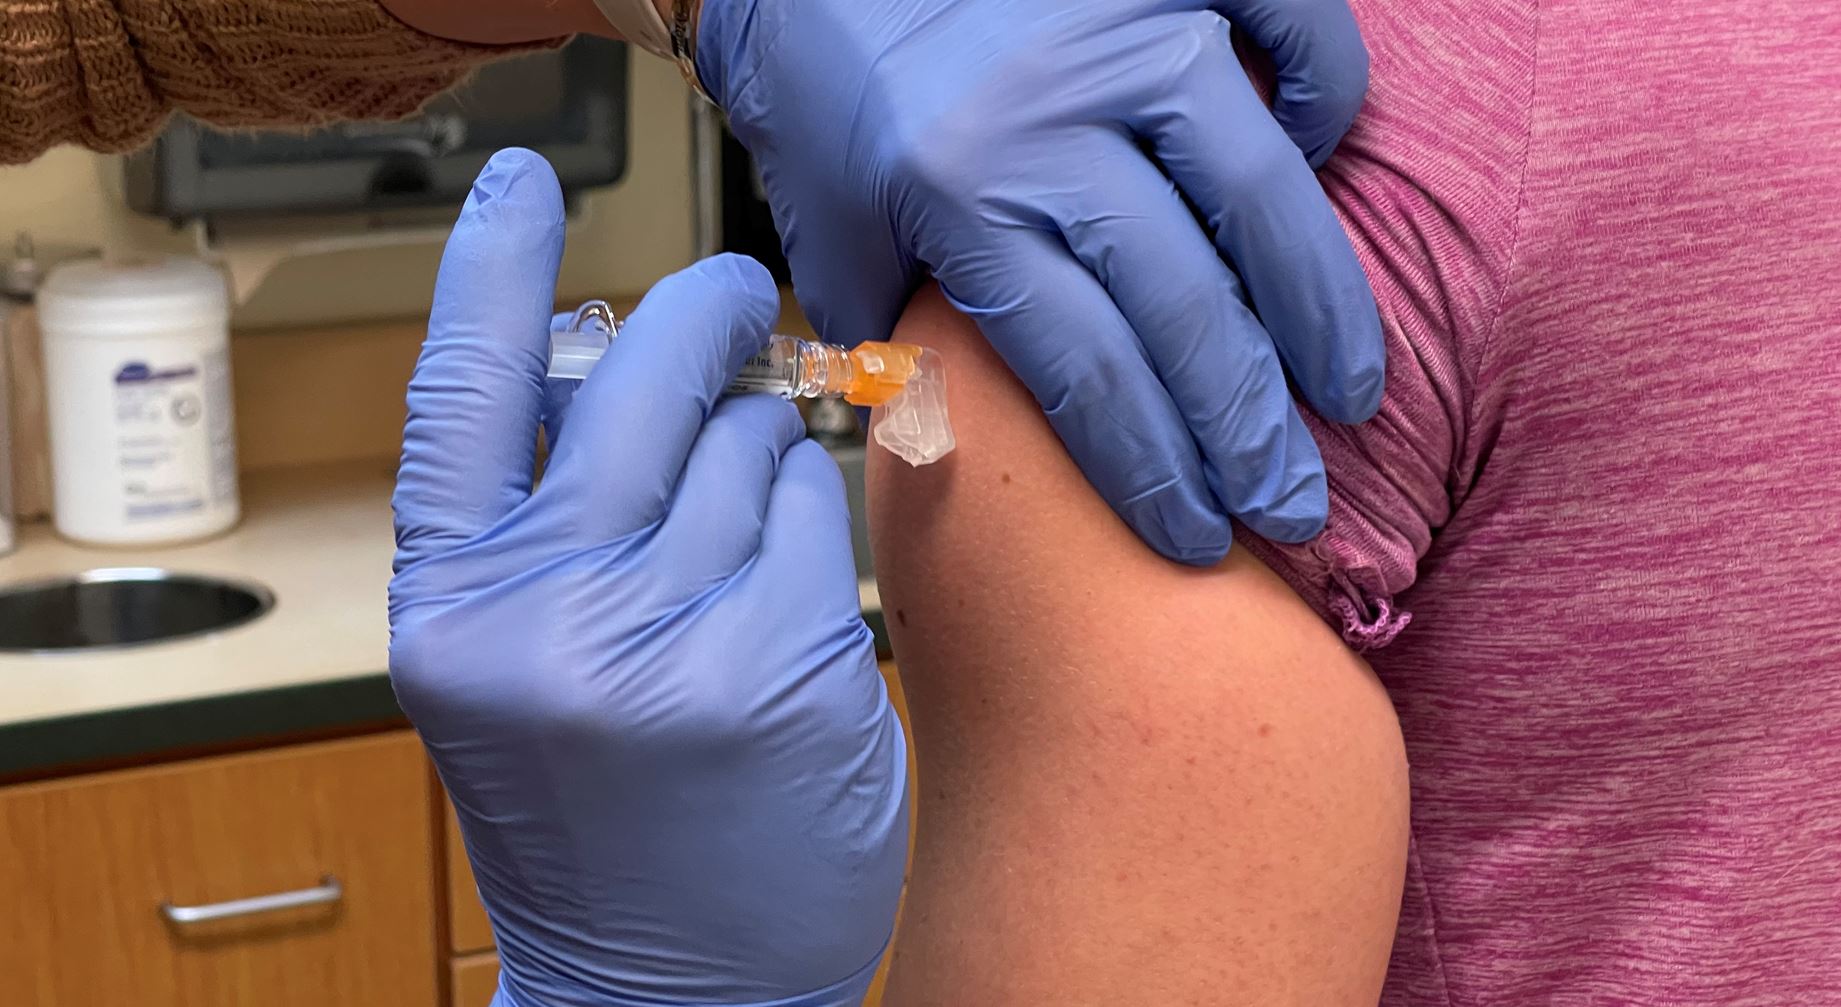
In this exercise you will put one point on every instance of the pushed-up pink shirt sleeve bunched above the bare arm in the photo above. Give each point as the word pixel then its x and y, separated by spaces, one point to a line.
pixel 1430 189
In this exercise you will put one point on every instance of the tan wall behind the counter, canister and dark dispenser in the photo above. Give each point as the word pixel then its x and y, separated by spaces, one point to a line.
pixel 325 345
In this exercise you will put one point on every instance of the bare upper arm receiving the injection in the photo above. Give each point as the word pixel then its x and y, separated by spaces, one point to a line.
pixel 1139 783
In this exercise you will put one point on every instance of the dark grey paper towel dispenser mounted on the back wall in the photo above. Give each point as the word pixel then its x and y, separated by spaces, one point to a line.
pixel 570 106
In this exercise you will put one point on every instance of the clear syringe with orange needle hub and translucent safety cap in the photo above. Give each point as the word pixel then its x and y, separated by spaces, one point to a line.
pixel 907 382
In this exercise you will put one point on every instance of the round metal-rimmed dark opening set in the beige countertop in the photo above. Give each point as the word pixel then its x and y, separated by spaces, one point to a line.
pixel 128 607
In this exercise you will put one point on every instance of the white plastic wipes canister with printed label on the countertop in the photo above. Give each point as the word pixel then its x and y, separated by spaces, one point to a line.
pixel 137 371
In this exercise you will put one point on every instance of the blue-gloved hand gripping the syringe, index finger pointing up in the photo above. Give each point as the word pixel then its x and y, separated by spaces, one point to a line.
pixel 647 684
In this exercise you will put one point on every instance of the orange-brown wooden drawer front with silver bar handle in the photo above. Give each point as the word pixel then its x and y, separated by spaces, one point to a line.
pixel 137 886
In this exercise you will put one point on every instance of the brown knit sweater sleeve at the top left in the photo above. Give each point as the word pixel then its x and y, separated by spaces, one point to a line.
pixel 108 73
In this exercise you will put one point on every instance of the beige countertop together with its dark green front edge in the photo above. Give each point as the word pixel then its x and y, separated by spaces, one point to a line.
pixel 319 538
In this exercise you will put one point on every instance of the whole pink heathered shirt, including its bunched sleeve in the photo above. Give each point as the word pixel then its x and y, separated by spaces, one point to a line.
pixel 1593 542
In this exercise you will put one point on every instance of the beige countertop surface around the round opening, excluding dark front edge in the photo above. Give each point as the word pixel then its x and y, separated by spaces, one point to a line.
pixel 319 538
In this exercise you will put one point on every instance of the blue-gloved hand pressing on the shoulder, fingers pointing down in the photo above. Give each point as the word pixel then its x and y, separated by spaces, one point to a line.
pixel 1047 161
